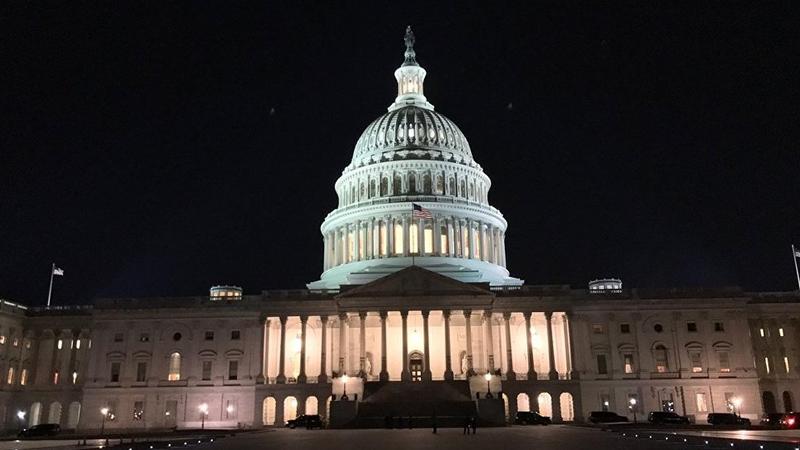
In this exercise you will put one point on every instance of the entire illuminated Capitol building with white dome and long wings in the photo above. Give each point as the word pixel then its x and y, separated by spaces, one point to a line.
pixel 415 313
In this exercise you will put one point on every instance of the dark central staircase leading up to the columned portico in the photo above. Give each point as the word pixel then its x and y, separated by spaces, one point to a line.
pixel 393 403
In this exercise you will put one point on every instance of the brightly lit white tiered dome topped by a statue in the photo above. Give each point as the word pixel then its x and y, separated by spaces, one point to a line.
pixel 413 195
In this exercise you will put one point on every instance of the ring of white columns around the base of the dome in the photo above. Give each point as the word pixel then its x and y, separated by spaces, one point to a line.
pixel 464 238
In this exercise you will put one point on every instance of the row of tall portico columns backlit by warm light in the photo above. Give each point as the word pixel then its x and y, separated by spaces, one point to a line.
pixel 426 375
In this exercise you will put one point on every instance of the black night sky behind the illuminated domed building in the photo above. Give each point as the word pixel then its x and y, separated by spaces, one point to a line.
pixel 161 148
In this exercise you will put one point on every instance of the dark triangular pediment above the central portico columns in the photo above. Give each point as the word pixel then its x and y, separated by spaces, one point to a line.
pixel 418 282
